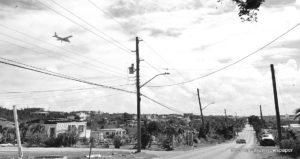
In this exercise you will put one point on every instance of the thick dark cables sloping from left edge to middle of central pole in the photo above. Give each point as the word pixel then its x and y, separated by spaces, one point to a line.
pixel 43 71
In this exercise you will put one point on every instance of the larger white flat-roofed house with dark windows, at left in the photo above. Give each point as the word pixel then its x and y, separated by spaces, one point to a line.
pixel 54 127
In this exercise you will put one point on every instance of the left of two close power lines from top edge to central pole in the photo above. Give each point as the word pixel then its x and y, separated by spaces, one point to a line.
pixel 85 28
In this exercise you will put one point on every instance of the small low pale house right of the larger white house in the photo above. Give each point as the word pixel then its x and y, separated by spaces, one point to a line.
pixel 105 133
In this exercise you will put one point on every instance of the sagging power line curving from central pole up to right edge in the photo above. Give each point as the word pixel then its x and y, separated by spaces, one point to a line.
pixel 239 60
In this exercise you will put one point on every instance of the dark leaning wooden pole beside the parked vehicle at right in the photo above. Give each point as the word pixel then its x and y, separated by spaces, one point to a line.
pixel 276 103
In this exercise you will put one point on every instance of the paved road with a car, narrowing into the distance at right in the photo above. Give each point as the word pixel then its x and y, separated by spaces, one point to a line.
pixel 222 151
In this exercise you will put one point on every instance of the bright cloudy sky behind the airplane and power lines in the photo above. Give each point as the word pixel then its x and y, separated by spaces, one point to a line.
pixel 190 39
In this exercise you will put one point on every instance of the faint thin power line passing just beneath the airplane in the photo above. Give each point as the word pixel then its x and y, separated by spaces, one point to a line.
pixel 66 50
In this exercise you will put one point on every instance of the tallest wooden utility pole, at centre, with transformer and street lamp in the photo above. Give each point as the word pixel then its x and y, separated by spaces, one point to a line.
pixel 138 95
